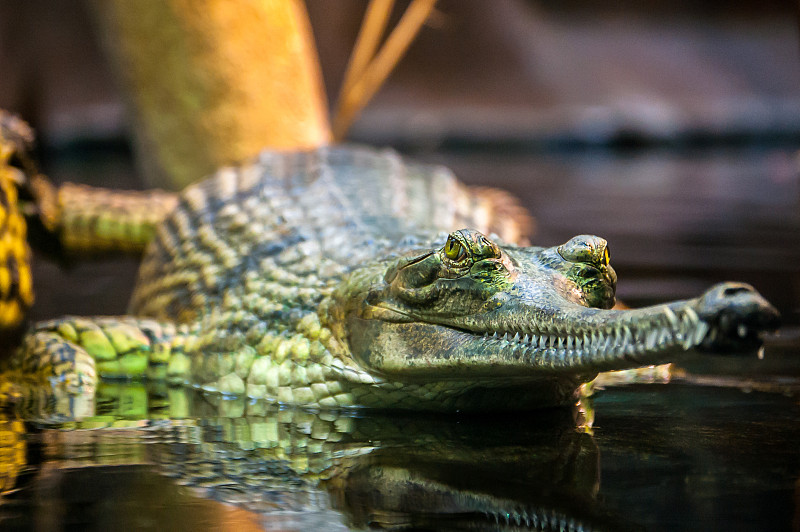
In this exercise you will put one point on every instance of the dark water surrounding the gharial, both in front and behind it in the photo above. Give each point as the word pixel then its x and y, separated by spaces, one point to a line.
pixel 716 449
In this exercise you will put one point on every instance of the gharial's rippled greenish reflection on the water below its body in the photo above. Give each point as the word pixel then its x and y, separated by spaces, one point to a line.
pixel 293 470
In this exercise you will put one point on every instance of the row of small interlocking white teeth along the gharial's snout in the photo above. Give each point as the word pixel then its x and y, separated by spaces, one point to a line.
pixel 663 331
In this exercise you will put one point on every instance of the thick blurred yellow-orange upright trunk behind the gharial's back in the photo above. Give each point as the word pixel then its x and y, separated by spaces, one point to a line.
pixel 211 82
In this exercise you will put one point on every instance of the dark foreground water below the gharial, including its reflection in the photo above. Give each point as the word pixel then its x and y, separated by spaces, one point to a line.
pixel 659 457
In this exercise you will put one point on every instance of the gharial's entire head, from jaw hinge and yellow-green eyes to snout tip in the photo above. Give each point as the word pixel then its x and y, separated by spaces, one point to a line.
pixel 476 309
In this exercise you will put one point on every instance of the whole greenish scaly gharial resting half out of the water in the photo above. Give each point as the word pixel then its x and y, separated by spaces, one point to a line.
pixel 334 278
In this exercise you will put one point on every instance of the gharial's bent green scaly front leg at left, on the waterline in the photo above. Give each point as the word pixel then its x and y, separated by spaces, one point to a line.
pixel 73 352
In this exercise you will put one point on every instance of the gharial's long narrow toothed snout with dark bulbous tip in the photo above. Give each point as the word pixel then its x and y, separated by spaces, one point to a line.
pixel 573 338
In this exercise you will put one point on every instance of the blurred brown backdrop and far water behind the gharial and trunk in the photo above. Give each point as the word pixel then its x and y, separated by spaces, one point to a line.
pixel 669 128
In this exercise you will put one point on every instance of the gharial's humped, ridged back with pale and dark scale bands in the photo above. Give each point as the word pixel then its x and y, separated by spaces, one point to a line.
pixel 298 220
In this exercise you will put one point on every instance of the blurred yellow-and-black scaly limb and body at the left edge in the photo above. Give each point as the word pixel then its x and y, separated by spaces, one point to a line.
pixel 85 219
